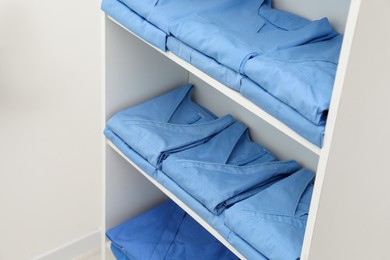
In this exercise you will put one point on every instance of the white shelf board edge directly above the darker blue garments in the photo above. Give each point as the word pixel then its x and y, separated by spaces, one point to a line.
pixel 181 204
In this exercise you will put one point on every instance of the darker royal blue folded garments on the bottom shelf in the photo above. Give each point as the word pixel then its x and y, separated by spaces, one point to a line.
pixel 165 232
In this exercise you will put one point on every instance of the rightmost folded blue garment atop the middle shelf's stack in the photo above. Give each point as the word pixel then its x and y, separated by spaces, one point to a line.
pixel 273 221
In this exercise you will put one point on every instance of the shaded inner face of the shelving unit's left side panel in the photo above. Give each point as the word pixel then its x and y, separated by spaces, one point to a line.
pixel 134 73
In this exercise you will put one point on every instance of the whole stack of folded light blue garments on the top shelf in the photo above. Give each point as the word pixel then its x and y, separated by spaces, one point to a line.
pixel 283 63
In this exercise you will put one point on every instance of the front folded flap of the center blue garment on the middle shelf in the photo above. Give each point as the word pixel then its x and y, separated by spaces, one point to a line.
pixel 219 186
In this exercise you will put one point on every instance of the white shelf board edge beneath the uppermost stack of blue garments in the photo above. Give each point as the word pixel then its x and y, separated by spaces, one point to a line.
pixel 234 95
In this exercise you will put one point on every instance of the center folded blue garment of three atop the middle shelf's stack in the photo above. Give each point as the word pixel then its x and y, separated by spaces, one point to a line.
pixel 226 169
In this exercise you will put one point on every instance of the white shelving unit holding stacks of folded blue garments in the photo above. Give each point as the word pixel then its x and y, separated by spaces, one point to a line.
pixel 136 71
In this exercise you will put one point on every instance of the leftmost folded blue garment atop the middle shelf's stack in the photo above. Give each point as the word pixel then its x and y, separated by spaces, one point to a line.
pixel 166 124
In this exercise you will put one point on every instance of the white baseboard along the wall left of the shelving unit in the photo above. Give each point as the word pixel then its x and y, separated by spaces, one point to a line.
pixel 74 248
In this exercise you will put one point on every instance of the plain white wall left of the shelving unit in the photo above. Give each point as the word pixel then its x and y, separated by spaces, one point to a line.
pixel 50 152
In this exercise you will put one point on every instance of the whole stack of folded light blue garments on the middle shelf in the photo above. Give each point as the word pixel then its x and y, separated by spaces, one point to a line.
pixel 213 166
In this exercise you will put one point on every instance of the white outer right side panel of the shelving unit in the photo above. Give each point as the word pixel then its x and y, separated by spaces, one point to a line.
pixel 353 208
